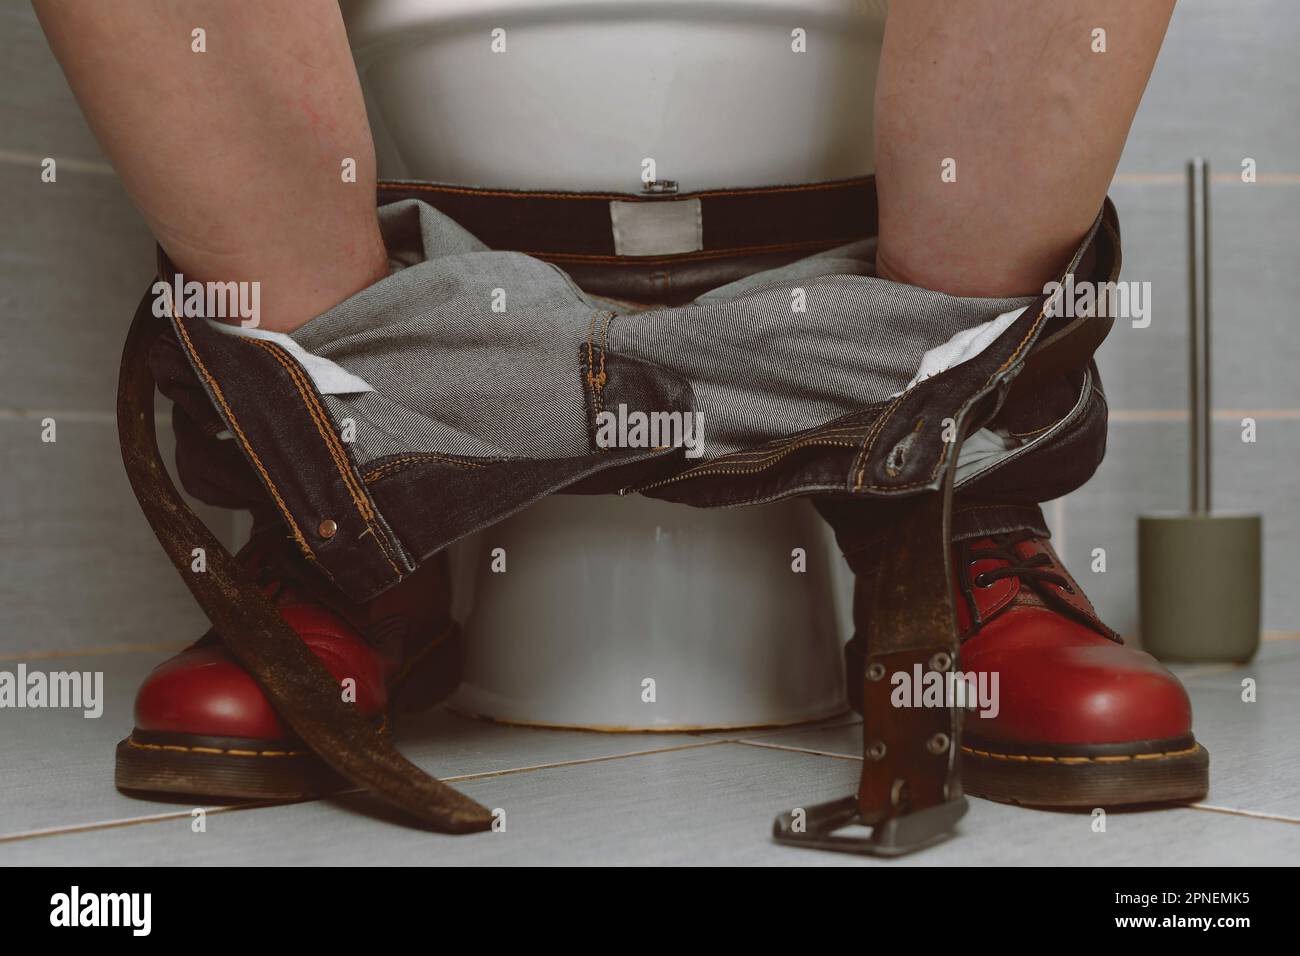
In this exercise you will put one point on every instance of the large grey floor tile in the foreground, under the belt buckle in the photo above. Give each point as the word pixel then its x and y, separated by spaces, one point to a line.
pixel 705 806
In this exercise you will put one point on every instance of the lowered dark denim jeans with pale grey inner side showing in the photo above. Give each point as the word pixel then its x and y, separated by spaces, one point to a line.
pixel 491 374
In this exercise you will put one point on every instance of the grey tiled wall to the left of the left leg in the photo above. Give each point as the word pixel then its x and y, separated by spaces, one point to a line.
pixel 79 565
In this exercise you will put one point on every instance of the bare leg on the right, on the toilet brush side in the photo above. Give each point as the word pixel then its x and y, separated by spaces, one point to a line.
pixel 1034 119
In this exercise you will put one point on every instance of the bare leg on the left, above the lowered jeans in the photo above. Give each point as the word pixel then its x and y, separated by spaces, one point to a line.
pixel 235 155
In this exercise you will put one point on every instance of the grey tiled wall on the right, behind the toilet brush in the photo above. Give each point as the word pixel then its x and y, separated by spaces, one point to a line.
pixel 1225 88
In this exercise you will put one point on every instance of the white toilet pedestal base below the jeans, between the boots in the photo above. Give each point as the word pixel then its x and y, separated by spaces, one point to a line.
pixel 603 595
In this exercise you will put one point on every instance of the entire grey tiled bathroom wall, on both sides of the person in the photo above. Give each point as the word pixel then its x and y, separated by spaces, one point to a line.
pixel 80 569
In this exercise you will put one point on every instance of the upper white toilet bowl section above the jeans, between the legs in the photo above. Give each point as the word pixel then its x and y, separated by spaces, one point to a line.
pixel 538 94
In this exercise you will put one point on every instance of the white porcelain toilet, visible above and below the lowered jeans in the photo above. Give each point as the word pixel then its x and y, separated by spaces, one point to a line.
pixel 629 613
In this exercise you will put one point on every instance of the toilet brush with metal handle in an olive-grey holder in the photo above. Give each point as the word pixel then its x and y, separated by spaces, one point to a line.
pixel 1199 574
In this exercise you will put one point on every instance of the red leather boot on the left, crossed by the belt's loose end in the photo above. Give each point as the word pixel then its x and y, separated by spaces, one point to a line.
pixel 203 726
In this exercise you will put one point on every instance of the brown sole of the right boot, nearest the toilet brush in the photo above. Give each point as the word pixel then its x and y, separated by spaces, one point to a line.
pixel 1143 773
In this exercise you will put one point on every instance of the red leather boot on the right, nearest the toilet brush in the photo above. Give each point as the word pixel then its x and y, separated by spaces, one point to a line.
pixel 1072 717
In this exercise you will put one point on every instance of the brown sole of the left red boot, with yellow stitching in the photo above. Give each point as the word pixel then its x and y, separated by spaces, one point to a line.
pixel 222 768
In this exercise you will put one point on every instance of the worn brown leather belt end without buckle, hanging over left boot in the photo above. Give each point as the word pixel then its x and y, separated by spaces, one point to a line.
pixel 297 684
